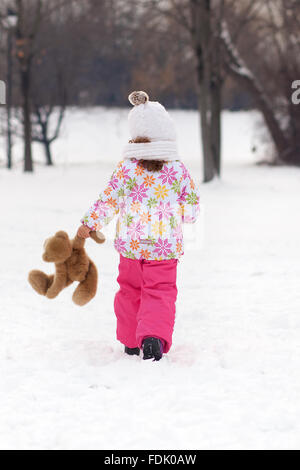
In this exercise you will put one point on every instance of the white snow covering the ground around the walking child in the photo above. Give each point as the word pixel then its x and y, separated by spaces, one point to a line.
pixel 231 380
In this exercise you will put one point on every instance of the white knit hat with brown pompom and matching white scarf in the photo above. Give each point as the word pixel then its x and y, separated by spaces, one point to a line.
pixel 151 120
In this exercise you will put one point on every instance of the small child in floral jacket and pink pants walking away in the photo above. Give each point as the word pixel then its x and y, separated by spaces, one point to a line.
pixel 154 194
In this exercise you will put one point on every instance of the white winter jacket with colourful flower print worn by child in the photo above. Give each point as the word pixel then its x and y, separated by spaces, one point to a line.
pixel 152 207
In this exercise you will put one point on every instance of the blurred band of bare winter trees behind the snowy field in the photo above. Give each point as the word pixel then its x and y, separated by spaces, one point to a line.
pixel 203 54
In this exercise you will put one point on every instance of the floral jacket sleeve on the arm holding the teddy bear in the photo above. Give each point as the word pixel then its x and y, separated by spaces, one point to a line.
pixel 107 205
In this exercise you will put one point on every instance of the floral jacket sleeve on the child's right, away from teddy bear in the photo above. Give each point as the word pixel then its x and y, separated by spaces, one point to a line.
pixel 189 198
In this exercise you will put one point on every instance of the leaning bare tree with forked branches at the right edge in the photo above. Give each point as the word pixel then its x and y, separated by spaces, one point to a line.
pixel 269 68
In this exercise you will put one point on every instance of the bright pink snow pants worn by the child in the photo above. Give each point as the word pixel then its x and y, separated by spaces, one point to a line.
pixel 145 302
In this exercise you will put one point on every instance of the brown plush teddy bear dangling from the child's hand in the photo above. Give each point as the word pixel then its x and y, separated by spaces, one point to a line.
pixel 71 264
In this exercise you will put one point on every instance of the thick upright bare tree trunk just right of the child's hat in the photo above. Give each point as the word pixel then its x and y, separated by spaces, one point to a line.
pixel 202 20
